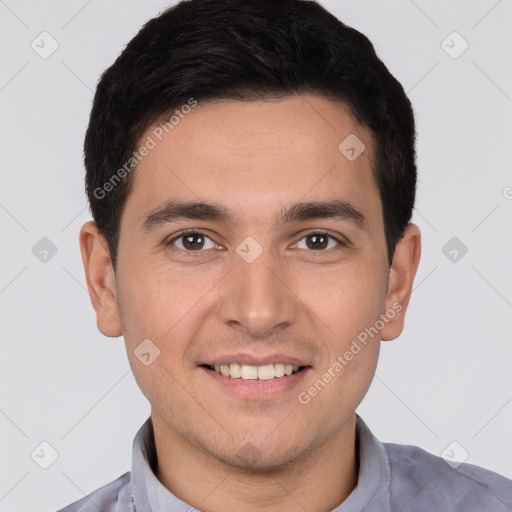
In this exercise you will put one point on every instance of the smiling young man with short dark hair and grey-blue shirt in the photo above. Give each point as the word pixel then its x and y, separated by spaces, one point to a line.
pixel 251 174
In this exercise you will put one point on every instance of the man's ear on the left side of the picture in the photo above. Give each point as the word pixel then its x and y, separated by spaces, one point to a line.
pixel 101 281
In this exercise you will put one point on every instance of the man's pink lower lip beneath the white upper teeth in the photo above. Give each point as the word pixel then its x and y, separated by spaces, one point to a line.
pixel 253 389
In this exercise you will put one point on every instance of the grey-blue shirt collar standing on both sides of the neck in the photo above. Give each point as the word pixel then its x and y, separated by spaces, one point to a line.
pixel 371 493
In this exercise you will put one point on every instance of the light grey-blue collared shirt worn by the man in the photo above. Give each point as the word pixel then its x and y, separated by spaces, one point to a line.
pixel 391 478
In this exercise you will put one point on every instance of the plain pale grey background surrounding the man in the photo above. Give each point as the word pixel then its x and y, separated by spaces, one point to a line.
pixel 446 379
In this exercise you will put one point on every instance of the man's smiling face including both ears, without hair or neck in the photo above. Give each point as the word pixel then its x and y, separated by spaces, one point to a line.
pixel 284 264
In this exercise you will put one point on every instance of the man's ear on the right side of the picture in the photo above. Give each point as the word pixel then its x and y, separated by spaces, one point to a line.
pixel 401 278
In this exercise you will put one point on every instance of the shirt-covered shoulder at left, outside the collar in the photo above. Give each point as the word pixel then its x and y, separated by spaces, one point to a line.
pixel 112 497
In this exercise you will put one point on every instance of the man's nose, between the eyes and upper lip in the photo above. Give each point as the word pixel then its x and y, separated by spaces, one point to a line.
pixel 257 297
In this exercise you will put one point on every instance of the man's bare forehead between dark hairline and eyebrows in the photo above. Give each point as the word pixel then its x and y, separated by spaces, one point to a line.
pixel 257 157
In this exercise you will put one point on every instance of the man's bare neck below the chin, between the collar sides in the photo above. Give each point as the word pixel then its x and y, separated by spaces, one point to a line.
pixel 318 480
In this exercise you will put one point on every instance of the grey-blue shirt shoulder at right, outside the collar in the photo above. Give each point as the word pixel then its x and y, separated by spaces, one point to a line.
pixel 420 479
